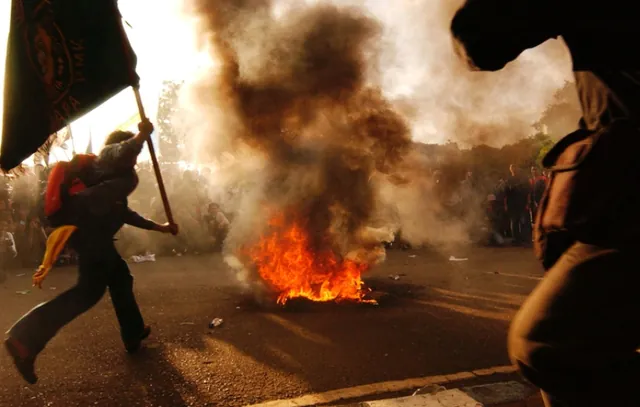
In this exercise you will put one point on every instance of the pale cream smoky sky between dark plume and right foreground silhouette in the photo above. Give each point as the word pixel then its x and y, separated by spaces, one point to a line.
pixel 453 103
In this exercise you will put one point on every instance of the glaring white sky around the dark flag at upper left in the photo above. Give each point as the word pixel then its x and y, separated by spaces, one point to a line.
pixel 165 44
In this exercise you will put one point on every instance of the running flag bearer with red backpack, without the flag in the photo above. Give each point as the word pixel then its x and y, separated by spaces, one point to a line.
pixel 90 232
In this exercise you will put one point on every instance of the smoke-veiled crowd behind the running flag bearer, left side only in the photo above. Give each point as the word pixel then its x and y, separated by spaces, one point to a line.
pixel 24 228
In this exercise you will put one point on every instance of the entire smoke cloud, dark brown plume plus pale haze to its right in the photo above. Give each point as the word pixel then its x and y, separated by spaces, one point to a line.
pixel 311 107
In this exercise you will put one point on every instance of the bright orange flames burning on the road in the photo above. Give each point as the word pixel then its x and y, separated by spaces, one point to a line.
pixel 285 260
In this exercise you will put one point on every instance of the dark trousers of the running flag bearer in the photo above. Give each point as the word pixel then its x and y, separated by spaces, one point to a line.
pixel 97 272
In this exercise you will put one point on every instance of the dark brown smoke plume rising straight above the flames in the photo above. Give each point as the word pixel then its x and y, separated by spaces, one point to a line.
pixel 290 100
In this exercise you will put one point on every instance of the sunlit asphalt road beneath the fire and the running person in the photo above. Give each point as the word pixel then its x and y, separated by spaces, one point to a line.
pixel 439 317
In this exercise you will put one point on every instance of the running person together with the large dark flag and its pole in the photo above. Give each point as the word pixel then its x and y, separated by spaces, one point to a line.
pixel 64 59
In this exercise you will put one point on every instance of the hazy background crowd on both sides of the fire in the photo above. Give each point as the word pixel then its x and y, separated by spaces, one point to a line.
pixel 507 204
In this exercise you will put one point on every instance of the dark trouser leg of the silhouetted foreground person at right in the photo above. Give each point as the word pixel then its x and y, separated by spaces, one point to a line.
pixel 577 334
